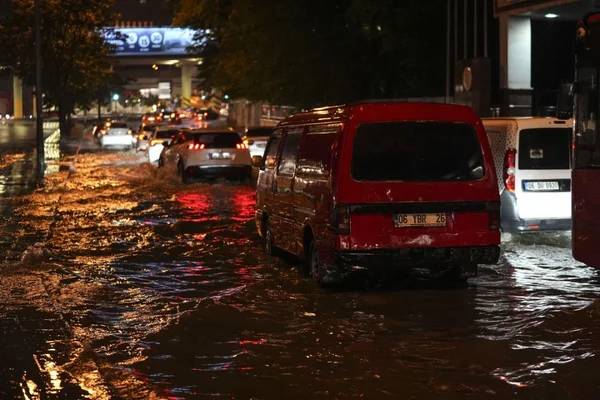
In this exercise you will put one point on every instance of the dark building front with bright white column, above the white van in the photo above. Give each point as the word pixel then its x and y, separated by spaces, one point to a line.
pixel 511 57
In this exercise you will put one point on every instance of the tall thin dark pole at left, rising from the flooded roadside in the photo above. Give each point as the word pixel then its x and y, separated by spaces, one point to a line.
pixel 39 121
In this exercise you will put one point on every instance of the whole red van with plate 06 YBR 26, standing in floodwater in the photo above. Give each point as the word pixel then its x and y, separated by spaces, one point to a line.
pixel 402 186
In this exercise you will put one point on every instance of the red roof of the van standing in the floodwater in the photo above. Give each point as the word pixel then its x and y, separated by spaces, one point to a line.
pixel 342 112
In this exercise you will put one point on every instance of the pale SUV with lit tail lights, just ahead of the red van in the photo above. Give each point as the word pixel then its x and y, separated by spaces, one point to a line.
pixel 208 153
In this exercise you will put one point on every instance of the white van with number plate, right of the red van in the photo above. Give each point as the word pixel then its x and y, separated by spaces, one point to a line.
pixel 532 157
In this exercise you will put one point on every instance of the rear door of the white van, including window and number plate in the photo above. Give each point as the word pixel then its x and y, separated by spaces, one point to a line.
pixel 543 174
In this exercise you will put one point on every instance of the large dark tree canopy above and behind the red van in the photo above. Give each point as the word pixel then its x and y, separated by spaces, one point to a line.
pixel 318 52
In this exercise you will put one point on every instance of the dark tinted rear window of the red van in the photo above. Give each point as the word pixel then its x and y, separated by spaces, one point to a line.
pixel 417 151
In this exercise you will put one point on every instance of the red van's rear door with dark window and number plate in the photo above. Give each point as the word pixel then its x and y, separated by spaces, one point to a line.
pixel 419 184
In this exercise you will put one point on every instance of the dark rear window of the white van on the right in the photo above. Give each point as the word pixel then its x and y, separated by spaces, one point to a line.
pixel 545 148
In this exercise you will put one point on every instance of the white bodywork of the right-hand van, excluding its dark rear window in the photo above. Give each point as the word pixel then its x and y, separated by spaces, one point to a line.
pixel 524 209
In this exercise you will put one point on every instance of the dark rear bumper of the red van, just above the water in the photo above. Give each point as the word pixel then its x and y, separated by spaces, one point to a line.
pixel 431 258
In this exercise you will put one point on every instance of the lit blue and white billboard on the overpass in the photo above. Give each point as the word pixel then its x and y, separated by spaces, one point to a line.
pixel 151 41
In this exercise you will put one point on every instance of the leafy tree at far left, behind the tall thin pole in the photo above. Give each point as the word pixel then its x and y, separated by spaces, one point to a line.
pixel 75 60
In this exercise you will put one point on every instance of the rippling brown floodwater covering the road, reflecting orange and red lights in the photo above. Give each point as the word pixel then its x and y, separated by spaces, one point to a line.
pixel 118 282
